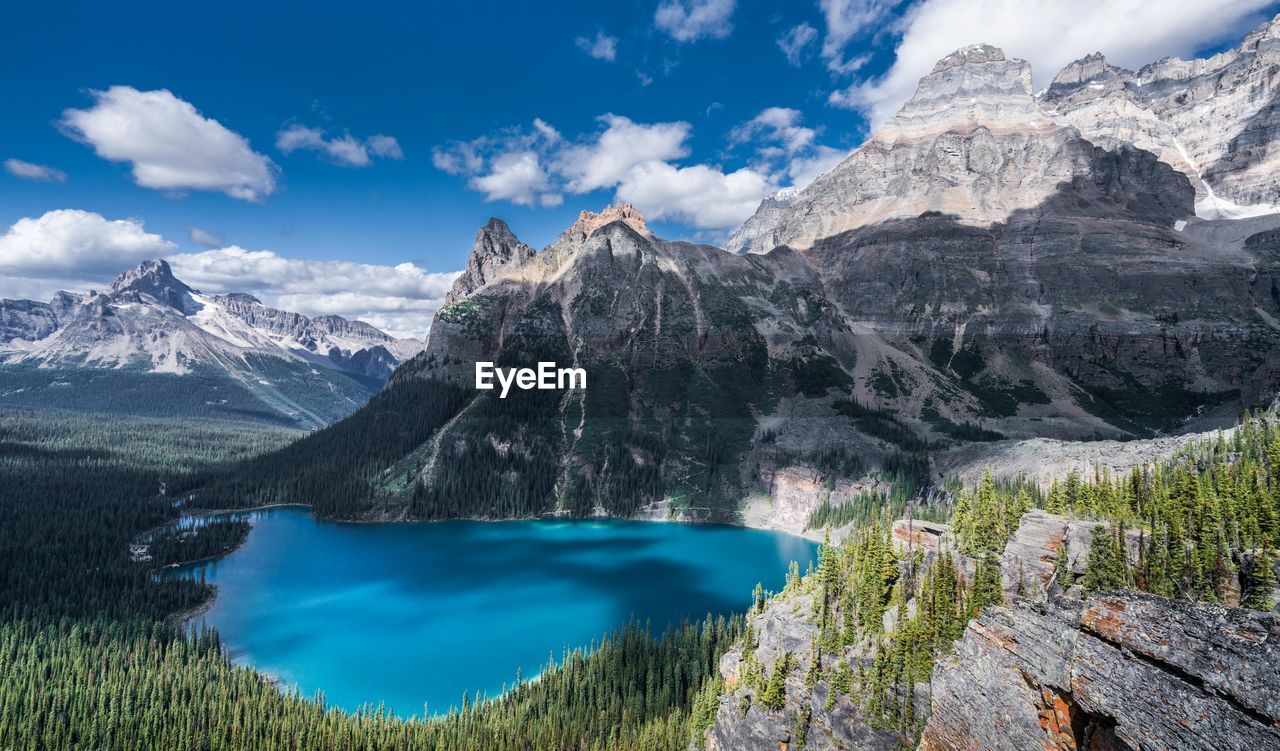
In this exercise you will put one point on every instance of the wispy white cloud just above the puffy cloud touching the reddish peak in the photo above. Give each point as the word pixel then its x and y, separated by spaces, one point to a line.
pixel 623 145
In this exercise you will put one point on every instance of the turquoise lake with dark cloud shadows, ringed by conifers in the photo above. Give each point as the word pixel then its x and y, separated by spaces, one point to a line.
pixel 414 615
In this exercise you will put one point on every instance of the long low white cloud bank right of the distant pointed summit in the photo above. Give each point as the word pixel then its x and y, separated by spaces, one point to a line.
pixel 399 300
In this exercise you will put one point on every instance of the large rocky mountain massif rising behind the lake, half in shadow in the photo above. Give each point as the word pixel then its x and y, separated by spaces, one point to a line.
pixel 993 264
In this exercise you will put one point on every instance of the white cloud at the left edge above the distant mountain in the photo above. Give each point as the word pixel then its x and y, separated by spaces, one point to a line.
pixel 76 244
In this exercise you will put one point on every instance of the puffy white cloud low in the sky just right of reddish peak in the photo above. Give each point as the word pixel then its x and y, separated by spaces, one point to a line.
pixel 701 196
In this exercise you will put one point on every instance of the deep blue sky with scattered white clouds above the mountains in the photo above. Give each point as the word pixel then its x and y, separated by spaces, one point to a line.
pixel 382 135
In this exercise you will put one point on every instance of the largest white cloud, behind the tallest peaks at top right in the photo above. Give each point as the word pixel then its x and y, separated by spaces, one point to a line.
pixel 1048 34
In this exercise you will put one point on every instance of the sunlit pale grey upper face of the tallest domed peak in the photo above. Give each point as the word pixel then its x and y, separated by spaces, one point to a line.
pixel 972 144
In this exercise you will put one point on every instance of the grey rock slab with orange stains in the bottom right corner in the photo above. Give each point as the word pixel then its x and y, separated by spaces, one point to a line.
pixel 1123 671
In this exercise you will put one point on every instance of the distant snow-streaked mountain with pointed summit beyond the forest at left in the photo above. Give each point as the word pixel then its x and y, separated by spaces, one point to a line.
pixel 153 345
